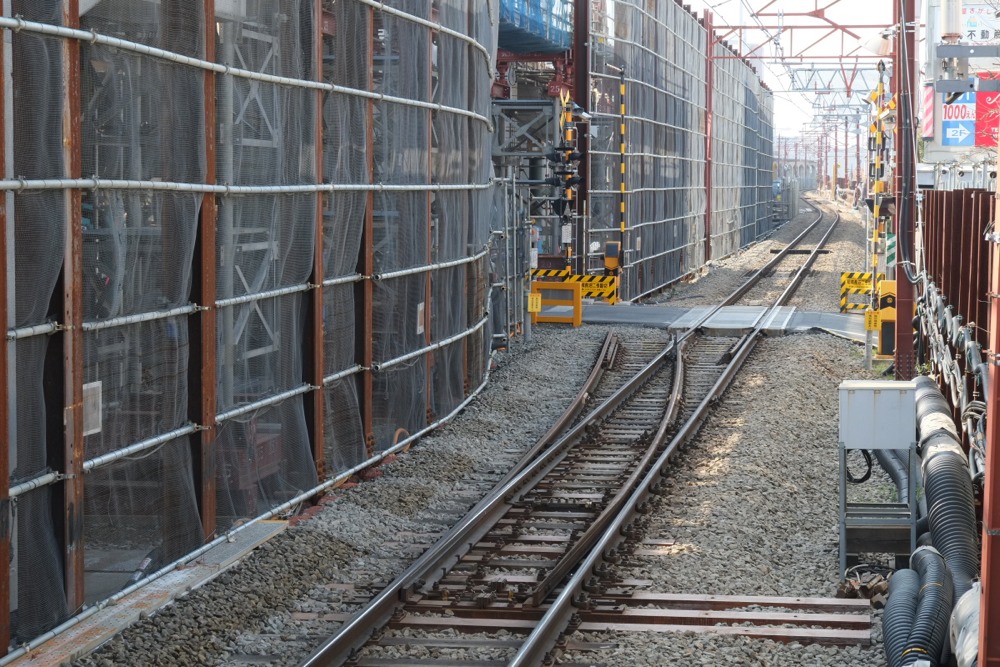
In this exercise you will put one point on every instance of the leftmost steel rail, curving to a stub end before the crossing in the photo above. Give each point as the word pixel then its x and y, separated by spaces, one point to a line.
pixel 356 631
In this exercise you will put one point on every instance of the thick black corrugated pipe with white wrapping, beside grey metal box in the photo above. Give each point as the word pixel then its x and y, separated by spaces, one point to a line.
pixel 947 487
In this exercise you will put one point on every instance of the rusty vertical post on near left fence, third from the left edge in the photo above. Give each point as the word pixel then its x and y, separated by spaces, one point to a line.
pixel 204 399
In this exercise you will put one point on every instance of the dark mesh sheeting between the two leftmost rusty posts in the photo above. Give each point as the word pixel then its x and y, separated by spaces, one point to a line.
pixel 38 601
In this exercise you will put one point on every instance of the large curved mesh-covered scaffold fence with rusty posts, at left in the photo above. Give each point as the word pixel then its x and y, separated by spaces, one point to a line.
pixel 330 160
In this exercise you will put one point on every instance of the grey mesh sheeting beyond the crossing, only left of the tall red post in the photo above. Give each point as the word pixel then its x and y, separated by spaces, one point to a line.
pixel 661 48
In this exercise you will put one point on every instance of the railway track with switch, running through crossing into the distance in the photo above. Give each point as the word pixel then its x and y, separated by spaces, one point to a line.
pixel 528 559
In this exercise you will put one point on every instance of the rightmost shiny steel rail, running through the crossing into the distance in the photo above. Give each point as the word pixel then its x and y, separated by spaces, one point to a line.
pixel 537 648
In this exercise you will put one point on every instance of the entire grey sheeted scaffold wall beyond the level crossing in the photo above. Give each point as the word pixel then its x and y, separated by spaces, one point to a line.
pixel 662 49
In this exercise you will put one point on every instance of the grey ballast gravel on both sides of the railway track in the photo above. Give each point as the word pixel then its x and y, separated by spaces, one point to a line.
pixel 752 505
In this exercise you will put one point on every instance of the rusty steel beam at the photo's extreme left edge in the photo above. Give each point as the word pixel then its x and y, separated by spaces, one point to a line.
pixel 5 506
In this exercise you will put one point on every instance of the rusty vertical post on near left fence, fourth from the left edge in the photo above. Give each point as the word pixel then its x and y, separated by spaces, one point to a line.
pixel 315 408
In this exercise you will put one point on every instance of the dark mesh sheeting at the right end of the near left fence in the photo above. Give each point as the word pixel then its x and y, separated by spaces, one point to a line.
pixel 415 146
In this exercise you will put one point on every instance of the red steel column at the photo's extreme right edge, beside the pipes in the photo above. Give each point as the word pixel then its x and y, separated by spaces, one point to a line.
pixel 989 642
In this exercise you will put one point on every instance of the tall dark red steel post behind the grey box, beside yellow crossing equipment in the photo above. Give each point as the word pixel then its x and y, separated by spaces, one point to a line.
pixel 904 74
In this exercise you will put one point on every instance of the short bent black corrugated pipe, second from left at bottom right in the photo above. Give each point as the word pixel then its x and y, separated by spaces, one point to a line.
pixel 933 610
